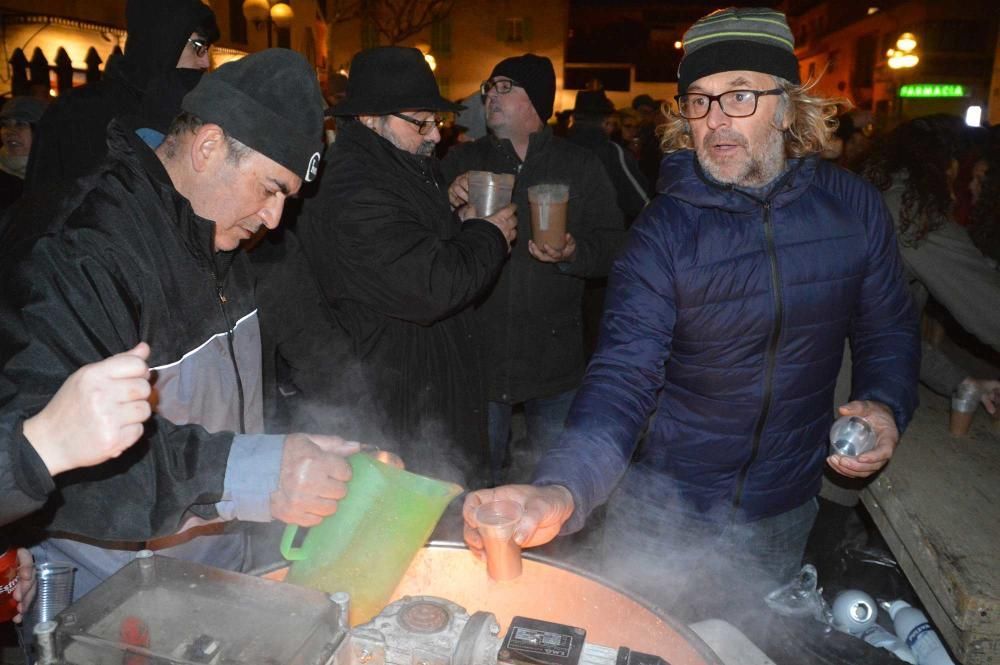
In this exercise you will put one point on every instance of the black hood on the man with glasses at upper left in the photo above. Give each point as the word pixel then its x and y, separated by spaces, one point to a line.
pixel 158 31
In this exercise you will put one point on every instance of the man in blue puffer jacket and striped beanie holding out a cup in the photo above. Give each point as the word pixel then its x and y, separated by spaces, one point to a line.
pixel 726 318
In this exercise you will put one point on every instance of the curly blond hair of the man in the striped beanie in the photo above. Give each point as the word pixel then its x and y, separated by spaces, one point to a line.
pixel 813 121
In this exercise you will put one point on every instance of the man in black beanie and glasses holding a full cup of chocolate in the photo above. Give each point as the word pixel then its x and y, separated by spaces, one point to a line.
pixel 532 319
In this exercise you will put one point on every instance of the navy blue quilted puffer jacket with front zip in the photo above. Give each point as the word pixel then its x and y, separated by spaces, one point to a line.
pixel 725 321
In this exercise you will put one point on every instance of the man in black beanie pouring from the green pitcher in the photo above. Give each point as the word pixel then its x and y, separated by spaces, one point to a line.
pixel 147 250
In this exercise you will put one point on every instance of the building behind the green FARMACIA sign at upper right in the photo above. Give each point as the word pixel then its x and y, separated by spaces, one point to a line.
pixel 845 44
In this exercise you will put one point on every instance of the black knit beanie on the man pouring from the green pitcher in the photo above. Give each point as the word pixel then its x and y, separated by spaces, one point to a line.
pixel 270 101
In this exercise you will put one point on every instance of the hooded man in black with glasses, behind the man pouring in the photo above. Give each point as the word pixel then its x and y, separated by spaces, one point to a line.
pixel 167 48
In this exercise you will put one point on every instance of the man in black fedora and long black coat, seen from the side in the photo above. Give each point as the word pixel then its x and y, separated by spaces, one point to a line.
pixel 400 270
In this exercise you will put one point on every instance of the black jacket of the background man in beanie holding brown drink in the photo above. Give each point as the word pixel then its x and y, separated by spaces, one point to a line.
pixel 532 317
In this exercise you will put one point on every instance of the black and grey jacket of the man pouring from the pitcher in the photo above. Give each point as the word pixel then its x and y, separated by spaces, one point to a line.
pixel 126 259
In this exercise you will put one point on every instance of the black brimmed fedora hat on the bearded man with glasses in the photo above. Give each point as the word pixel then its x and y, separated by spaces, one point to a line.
pixel 388 79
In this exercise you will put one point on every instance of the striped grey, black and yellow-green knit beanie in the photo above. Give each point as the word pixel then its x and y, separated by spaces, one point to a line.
pixel 753 39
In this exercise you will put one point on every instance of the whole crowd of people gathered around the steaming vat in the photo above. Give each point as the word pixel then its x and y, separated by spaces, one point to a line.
pixel 171 378
